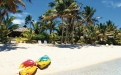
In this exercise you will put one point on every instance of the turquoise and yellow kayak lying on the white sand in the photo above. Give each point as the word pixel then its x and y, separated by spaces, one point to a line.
pixel 43 62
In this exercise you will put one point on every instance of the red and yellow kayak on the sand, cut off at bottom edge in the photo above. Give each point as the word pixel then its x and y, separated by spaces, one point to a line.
pixel 28 67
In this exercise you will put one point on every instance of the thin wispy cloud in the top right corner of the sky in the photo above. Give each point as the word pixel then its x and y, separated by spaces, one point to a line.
pixel 112 3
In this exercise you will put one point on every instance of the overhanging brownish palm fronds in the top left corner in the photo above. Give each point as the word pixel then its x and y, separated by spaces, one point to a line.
pixel 11 6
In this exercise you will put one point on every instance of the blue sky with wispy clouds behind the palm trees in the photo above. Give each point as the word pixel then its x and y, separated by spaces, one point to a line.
pixel 108 9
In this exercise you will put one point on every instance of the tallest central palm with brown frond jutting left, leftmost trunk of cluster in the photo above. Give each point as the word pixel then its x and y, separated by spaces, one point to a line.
pixel 62 9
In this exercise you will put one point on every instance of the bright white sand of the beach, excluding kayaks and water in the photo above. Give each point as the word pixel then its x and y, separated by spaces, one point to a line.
pixel 62 58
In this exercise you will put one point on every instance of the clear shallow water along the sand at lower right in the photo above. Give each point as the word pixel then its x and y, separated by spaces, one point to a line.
pixel 112 67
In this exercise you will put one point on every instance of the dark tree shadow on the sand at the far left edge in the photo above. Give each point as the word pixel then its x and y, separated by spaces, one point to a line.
pixel 9 47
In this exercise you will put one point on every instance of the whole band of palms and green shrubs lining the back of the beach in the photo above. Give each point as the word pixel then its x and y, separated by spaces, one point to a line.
pixel 64 22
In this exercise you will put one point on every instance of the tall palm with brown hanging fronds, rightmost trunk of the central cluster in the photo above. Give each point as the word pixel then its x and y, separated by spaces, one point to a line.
pixel 74 17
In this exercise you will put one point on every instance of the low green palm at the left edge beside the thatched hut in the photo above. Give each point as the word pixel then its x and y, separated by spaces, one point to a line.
pixel 6 28
